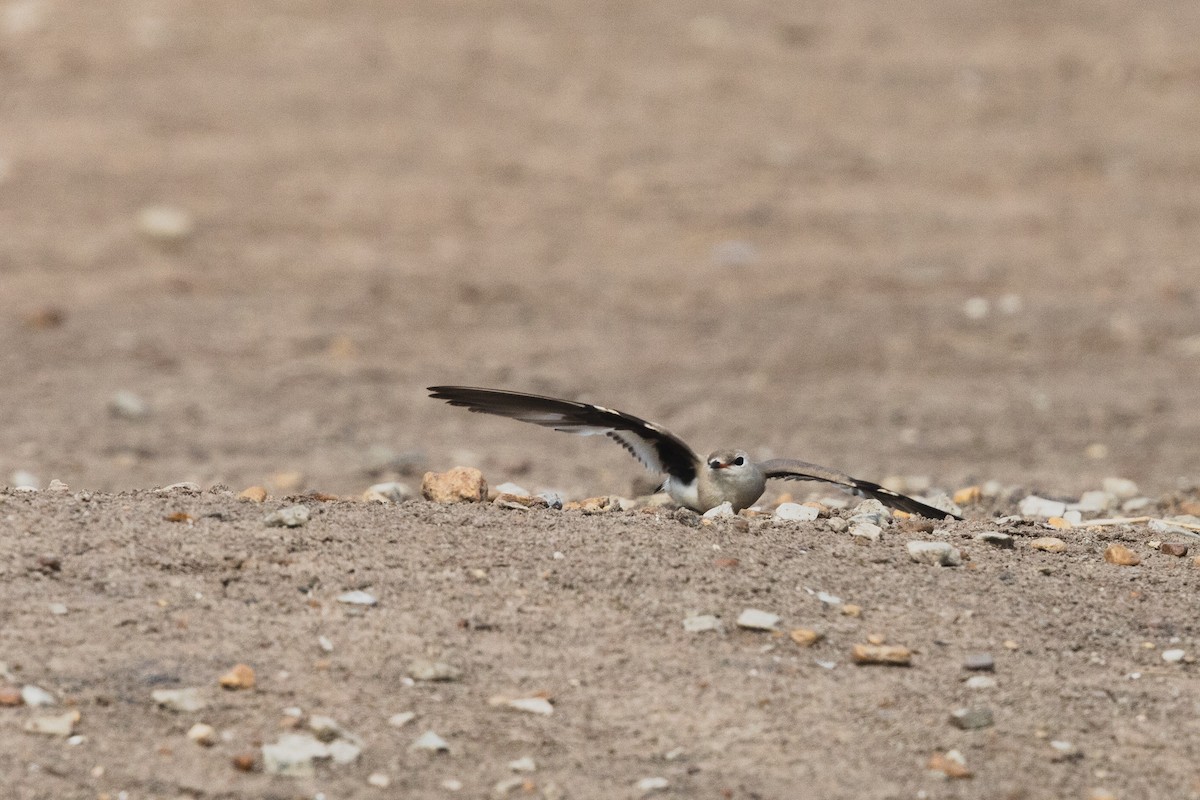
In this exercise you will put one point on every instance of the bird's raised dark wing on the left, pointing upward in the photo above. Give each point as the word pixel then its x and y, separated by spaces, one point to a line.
pixel 659 450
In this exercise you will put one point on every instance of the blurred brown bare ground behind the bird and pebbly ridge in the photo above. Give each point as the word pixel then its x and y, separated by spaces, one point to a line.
pixel 952 242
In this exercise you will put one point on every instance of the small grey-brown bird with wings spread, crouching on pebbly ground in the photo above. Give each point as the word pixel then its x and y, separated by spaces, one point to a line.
pixel 699 484
